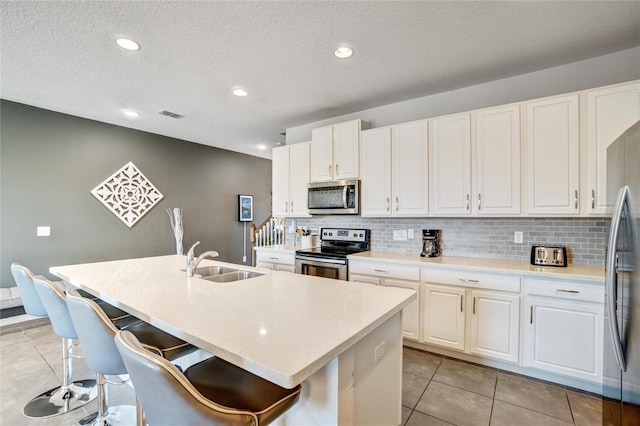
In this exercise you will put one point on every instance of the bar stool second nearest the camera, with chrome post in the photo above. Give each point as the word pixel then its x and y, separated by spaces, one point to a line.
pixel 96 333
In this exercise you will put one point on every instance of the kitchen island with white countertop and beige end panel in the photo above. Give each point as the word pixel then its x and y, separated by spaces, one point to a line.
pixel 341 340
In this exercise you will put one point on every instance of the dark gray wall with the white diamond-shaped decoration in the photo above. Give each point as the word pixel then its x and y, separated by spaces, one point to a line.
pixel 51 161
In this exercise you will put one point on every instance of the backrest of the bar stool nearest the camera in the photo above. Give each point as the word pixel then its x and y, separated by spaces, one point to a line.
pixel 166 395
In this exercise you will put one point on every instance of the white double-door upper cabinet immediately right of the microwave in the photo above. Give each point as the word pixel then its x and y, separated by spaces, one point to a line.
pixel 394 170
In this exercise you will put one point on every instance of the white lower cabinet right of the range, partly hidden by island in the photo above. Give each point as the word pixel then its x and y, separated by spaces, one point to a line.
pixel 384 274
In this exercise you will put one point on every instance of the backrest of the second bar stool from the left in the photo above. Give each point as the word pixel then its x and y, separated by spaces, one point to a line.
pixel 55 303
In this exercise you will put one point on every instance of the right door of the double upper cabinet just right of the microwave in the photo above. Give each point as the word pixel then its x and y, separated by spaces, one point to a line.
pixel 409 170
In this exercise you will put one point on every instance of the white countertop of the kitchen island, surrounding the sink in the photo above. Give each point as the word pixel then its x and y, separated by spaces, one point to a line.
pixel 280 326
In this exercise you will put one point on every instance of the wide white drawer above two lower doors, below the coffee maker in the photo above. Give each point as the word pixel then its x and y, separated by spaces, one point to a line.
pixel 469 279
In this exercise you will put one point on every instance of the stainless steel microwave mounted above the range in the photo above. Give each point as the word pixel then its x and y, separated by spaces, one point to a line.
pixel 338 197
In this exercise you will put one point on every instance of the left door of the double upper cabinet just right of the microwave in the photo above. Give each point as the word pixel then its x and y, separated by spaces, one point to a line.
pixel 375 168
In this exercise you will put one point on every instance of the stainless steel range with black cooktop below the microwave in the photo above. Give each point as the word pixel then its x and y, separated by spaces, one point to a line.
pixel 329 260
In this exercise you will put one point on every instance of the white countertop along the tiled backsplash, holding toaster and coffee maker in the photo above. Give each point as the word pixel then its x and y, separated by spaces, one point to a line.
pixel 571 272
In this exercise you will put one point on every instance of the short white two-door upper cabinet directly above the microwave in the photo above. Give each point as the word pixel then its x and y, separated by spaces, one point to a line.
pixel 335 152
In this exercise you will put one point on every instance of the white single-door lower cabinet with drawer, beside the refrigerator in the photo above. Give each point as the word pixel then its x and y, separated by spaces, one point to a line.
pixel 564 328
